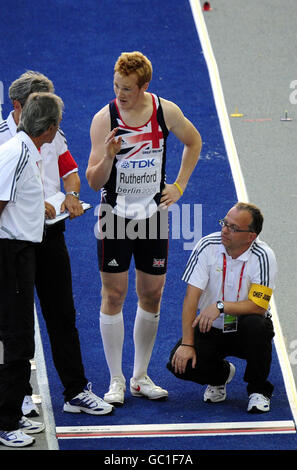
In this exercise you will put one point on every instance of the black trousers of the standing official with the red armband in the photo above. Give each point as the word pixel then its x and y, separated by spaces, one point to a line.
pixel 54 289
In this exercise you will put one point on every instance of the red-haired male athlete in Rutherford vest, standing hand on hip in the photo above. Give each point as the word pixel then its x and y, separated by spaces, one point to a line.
pixel 127 162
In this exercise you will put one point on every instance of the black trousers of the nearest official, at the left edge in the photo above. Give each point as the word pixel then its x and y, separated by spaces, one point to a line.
pixel 17 272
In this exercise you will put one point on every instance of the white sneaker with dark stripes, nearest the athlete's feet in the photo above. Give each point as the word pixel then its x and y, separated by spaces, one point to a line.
pixel 87 402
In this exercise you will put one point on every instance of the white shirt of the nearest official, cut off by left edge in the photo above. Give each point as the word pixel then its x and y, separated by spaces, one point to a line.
pixel 21 185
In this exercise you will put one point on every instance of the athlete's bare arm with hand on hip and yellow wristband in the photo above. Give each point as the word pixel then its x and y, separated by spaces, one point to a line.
pixel 184 130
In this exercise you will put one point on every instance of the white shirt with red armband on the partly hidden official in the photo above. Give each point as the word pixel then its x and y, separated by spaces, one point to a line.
pixel 57 161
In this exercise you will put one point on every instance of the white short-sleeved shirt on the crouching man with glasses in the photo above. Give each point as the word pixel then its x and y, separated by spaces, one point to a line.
pixel 204 270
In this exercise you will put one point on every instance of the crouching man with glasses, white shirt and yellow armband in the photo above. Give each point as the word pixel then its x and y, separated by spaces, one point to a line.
pixel 231 276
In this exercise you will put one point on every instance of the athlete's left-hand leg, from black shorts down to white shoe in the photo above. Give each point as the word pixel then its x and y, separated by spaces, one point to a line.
pixel 114 255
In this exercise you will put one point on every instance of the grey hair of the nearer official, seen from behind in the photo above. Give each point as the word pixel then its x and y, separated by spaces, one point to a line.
pixel 41 110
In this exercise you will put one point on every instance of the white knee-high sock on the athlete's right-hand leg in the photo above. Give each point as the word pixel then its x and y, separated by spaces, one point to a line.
pixel 145 331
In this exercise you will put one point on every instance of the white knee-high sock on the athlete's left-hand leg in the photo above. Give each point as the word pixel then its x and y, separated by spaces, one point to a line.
pixel 112 333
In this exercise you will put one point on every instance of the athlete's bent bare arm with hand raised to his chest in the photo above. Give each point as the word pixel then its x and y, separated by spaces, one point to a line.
pixel 105 146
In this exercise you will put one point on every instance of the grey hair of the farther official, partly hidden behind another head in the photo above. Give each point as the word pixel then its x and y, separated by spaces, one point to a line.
pixel 29 82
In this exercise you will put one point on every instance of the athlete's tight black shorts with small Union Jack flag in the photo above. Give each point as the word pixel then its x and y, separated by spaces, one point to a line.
pixel 145 239
